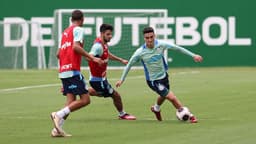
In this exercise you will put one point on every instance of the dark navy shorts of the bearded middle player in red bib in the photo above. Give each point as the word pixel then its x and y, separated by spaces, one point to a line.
pixel 102 87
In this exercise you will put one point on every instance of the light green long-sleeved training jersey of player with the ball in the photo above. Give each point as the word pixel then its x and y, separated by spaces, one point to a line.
pixel 153 60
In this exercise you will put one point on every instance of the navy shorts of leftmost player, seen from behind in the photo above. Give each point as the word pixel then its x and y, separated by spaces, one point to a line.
pixel 74 85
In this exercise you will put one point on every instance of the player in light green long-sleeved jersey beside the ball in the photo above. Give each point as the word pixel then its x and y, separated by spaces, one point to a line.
pixel 155 68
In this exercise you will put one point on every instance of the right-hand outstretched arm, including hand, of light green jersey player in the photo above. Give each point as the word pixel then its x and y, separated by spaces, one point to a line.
pixel 196 57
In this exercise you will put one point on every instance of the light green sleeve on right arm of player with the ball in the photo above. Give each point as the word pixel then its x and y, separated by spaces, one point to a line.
pixel 173 46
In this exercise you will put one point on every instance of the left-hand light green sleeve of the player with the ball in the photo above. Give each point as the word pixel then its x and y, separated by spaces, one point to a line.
pixel 135 58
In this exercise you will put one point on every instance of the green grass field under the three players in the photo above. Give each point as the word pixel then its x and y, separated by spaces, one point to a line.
pixel 223 99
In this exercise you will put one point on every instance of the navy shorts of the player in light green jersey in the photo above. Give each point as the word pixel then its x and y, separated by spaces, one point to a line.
pixel 161 86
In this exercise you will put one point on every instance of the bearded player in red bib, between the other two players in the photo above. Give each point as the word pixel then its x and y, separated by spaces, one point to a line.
pixel 98 73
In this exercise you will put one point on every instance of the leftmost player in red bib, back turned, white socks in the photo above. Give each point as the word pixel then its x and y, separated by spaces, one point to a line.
pixel 69 55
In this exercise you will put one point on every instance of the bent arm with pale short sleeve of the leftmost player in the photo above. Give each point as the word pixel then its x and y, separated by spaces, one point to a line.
pixel 78 39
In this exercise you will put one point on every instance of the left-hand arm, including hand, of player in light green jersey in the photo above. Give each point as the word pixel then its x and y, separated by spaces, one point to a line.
pixel 135 58
